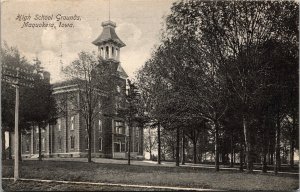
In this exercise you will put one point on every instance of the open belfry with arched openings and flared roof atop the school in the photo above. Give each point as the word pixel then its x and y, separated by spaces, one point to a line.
pixel 108 42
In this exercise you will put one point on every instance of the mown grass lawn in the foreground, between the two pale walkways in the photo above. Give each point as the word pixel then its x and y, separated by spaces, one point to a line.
pixel 151 175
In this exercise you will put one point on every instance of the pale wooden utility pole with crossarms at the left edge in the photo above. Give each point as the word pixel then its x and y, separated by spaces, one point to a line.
pixel 12 76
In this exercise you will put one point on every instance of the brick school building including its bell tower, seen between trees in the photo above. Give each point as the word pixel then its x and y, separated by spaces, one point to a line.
pixel 68 137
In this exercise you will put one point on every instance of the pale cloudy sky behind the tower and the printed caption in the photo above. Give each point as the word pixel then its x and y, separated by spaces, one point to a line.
pixel 138 25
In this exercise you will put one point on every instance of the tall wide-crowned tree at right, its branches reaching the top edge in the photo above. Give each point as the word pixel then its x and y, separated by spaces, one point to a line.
pixel 230 34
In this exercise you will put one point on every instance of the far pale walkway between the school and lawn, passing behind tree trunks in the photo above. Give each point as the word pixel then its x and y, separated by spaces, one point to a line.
pixel 152 163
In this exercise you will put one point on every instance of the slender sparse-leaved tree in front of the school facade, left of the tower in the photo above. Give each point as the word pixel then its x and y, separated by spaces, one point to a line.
pixel 88 72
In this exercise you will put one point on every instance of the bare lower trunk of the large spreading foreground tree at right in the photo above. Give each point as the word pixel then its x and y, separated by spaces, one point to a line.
pixel 248 146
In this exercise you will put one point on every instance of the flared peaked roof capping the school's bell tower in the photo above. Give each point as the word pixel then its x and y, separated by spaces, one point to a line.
pixel 108 34
